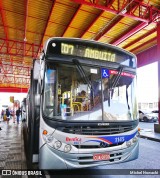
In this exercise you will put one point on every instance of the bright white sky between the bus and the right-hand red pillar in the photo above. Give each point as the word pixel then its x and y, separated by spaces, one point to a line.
pixel 147 83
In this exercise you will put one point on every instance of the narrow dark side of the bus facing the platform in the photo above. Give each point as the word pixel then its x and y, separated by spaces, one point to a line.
pixel 34 120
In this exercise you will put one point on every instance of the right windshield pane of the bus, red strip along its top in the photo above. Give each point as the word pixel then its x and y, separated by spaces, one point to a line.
pixel 119 99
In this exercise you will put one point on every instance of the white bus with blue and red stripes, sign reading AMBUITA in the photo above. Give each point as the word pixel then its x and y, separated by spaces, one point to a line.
pixel 82 107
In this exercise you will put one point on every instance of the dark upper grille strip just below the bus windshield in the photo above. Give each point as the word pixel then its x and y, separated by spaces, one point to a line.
pixel 98 130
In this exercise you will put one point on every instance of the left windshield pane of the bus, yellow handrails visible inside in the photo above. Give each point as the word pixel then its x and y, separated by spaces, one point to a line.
pixel 77 95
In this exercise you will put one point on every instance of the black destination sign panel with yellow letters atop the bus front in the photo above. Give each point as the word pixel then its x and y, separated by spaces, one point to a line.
pixel 89 50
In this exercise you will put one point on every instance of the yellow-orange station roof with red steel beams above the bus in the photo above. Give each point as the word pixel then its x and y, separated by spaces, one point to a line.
pixel 27 24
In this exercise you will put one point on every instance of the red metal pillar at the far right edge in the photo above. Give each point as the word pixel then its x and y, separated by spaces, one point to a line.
pixel 157 126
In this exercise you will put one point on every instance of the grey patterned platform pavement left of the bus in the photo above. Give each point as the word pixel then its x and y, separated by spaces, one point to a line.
pixel 12 155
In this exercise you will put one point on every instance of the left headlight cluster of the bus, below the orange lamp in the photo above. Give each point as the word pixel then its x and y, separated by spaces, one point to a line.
pixel 58 145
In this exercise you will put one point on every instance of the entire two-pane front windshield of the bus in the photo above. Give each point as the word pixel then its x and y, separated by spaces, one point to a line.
pixel 76 92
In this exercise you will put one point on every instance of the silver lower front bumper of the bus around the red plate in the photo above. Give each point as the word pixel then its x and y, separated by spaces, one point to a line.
pixel 50 158
